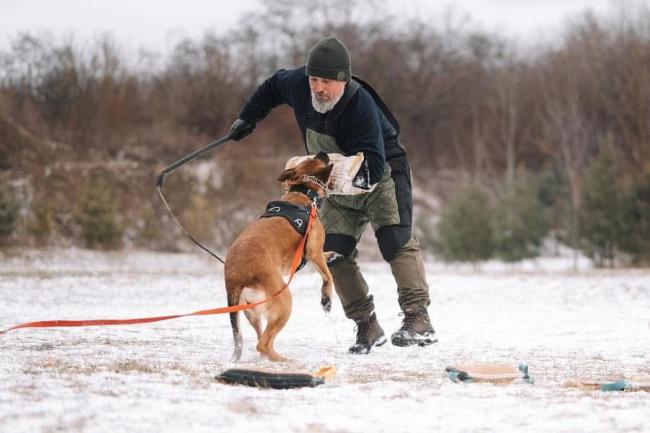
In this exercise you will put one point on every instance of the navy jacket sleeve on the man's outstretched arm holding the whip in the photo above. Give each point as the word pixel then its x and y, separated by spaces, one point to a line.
pixel 276 90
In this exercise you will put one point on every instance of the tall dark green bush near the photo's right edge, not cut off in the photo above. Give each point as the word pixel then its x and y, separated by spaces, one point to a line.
pixel 604 217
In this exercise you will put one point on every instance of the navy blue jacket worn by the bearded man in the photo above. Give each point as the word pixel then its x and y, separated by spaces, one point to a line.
pixel 360 127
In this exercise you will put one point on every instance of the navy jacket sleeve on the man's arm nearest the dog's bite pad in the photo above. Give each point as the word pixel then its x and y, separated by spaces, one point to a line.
pixel 362 133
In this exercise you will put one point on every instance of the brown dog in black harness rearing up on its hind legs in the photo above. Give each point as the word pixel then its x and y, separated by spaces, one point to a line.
pixel 263 253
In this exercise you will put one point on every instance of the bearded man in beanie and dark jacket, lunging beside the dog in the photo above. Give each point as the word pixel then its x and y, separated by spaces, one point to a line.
pixel 338 114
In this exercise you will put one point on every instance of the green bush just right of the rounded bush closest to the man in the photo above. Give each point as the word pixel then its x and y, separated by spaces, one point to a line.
pixel 520 223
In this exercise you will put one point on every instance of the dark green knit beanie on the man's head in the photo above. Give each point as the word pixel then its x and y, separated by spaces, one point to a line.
pixel 329 58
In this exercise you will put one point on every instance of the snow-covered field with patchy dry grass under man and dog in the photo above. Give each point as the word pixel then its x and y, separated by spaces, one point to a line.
pixel 160 377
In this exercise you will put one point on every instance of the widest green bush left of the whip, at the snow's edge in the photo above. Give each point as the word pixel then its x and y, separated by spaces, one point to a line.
pixel 97 216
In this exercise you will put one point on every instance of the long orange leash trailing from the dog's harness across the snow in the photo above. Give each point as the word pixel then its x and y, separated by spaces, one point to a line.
pixel 297 258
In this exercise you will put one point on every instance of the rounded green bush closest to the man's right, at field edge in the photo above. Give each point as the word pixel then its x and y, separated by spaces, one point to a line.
pixel 465 229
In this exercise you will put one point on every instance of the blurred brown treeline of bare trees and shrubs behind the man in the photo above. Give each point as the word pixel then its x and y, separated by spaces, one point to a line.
pixel 514 148
